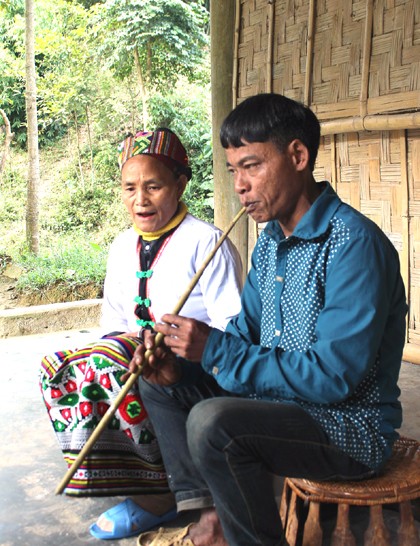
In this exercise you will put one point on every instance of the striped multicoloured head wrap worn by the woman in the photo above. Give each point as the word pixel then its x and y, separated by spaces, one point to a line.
pixel 162 144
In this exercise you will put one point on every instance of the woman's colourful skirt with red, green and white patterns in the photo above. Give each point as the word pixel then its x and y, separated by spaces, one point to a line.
pixel 78 387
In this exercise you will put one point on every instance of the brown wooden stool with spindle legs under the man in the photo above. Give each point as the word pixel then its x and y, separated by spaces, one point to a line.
pixel 399 483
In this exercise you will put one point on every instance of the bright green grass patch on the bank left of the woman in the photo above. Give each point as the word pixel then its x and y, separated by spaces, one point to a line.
pixel 72 266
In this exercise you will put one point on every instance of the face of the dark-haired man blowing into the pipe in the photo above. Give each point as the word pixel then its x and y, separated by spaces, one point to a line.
pixel 266 180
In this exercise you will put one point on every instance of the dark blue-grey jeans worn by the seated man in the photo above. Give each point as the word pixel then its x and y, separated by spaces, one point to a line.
pixel 220 450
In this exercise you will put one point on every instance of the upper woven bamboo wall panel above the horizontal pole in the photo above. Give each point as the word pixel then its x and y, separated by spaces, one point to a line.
pixel 366 54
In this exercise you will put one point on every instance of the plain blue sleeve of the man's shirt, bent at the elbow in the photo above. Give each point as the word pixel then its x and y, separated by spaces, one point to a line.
pixel 363 313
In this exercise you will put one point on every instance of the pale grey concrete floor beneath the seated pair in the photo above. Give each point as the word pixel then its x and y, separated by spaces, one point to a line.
pixel 31 466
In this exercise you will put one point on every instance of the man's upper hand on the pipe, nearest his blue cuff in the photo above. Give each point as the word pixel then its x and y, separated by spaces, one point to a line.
pixel 185 337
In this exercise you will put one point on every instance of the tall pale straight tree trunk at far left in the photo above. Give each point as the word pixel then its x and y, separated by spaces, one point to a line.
pixel 32 205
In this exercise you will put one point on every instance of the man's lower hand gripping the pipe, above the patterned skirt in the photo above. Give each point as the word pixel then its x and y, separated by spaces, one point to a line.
pixel 161 366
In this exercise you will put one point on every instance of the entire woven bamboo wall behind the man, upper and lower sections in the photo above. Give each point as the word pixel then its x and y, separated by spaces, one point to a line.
pixel 357 65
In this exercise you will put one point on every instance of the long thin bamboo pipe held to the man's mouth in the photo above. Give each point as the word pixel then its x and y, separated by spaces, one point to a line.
pixel 134 376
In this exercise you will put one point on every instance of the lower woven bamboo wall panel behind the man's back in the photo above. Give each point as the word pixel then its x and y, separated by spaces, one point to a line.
pixel 378 173
